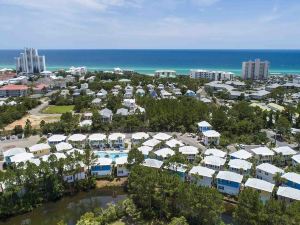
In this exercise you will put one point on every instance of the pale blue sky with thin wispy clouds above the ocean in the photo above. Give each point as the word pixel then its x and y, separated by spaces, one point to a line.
pixel 150 24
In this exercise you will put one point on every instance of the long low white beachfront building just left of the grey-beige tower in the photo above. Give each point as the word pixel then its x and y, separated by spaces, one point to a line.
pixel 211 75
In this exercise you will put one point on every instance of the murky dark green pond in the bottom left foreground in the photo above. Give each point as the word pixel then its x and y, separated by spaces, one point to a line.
pixel 68 209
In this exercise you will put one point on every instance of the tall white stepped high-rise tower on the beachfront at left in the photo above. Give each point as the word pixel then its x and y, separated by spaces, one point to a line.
pixel 30 62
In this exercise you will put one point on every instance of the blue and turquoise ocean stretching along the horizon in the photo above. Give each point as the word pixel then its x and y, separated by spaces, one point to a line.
pixel 147 61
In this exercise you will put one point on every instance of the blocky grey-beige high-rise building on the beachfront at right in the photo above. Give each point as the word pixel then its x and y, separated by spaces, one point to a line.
pixel 255 70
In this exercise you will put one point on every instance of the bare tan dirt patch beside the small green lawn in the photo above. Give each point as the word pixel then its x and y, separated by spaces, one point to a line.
pixel 34 119
